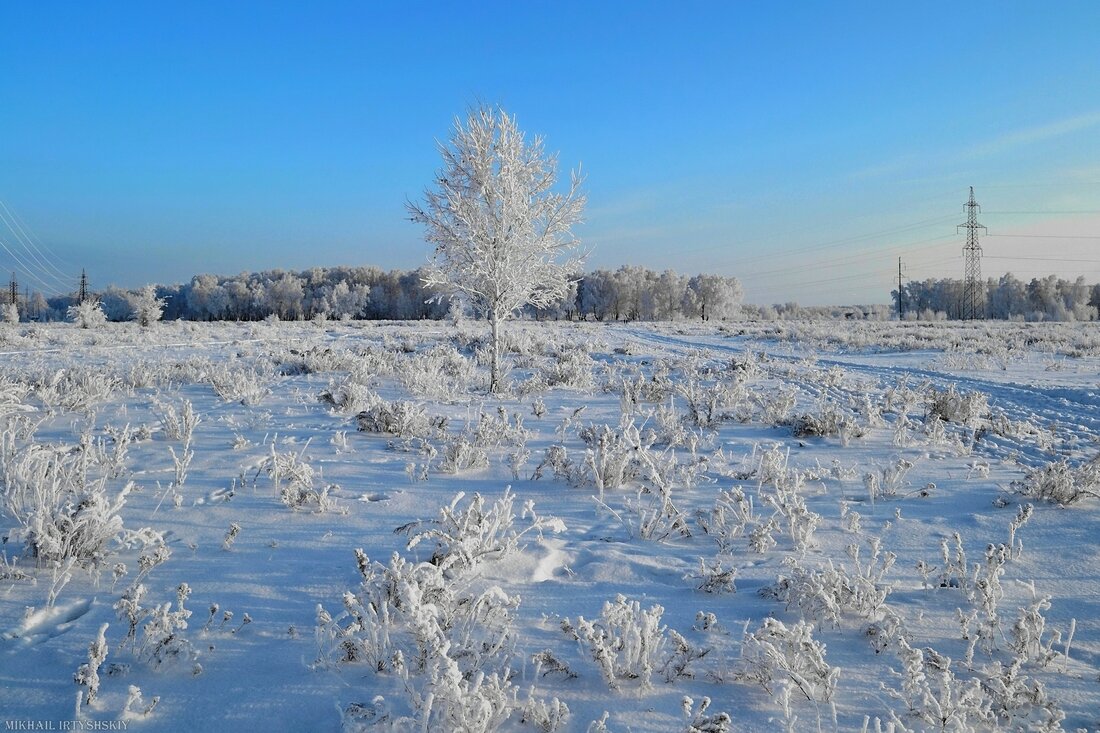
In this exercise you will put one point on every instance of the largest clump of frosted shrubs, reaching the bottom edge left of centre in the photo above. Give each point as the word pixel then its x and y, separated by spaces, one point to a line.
pixel 449 640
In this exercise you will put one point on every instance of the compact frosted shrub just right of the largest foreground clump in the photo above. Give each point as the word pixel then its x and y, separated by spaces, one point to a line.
pixel 625 642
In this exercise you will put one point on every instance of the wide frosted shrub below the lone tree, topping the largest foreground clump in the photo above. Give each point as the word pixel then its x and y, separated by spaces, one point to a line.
pixel 465 537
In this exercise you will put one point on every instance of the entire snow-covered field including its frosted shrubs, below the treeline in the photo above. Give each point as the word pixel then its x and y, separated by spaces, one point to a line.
pixel 307 527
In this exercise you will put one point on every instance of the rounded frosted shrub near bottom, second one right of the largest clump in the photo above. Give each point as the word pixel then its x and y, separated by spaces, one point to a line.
pixel 778 653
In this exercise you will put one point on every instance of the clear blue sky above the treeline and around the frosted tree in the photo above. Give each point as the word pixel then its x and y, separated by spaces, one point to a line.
pixel 802 147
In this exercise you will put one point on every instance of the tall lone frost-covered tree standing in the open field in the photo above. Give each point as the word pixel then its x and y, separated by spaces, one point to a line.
pixel 501 233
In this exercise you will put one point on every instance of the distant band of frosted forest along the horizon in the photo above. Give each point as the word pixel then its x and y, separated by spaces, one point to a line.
pixel 630 293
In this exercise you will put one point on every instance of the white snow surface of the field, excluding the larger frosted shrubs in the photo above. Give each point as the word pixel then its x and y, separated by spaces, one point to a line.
pixel 267 675
